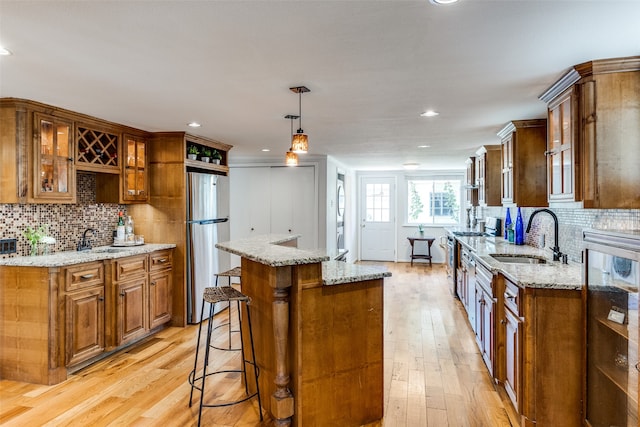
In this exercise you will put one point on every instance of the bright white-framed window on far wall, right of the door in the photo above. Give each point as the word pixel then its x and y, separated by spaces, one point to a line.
pixel 433 201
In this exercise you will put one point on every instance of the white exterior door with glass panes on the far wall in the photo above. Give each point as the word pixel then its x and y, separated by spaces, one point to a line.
pixel 377 219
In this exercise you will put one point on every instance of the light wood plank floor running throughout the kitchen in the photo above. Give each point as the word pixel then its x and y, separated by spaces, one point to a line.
pixel 434 374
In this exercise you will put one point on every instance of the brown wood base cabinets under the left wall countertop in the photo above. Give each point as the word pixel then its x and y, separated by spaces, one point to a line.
pixel 71 316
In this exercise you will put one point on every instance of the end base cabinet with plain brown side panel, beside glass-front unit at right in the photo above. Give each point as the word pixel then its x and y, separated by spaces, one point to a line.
pixel 542 353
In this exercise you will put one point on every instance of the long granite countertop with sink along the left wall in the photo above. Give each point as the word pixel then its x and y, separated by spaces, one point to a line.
pixel 61 259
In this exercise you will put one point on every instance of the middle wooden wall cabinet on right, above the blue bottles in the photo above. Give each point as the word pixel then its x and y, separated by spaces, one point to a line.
pixel 523 163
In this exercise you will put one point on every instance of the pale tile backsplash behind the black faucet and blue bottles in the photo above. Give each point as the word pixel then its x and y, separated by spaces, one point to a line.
pixel 571 223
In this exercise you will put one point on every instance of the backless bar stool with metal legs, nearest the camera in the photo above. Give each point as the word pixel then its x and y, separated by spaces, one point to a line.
pixel 213 296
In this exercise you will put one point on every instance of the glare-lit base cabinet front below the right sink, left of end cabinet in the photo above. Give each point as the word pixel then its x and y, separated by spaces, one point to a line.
pixel 485 301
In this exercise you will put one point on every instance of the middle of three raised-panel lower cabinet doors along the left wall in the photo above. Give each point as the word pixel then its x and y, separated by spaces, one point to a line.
pixel 131 310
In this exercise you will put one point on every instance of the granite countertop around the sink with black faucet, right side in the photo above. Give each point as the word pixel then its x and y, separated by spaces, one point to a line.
pixel 551 275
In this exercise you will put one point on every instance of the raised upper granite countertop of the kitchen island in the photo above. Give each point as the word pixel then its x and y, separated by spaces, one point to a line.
pixel 266 249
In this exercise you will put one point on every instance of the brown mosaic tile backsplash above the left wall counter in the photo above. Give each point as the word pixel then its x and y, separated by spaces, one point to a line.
pixel 66 223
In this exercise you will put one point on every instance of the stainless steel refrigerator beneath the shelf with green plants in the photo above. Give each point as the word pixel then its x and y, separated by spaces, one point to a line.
pixel 207 224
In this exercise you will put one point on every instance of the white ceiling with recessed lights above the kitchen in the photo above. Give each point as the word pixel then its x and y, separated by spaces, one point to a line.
pixel 372 68
